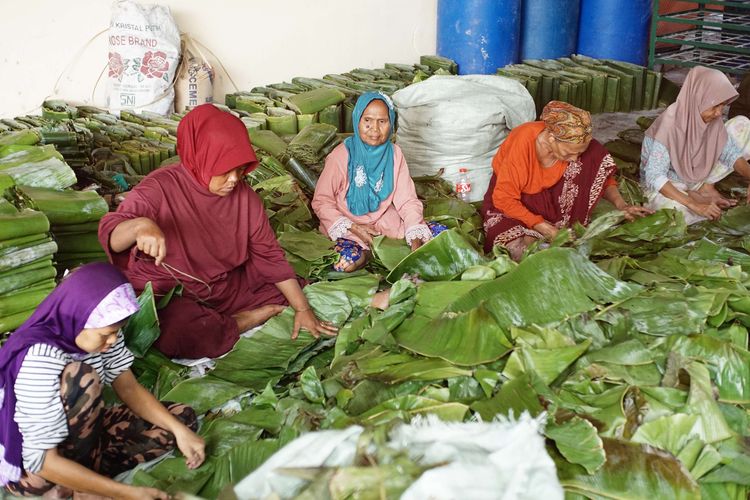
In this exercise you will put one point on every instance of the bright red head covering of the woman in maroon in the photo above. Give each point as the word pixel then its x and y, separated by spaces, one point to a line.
pixel 212 142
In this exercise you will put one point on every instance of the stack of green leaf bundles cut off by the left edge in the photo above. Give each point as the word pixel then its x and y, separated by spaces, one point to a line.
pixel 26 272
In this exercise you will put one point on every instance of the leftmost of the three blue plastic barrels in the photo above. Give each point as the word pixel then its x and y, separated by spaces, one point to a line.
pixel 480 35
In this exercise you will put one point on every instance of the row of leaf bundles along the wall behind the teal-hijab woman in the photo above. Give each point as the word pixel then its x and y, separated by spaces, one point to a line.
pixel 286 108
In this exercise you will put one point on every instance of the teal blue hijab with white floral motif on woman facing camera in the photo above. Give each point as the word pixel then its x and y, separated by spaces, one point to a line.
pixel 370 168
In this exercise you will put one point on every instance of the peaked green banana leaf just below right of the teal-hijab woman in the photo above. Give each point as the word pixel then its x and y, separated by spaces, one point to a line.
pixel 444 257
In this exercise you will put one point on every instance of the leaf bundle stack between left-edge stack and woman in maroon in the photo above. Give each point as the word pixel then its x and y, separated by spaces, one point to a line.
pixel 74 217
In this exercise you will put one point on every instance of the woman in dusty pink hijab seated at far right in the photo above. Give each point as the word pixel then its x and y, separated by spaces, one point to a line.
pixel 687 149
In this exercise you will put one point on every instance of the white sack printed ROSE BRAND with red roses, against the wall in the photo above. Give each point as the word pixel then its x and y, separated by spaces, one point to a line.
pixel 144 49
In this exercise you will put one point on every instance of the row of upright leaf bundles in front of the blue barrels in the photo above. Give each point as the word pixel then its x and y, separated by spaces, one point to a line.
pixel 597 85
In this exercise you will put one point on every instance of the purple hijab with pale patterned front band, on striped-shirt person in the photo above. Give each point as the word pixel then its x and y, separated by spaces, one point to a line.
pixel 56 322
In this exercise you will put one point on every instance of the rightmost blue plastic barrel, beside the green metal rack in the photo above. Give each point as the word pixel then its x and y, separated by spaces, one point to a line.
pixel 615 29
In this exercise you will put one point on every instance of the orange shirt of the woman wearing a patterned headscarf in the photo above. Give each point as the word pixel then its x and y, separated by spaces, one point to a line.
pixel 518 171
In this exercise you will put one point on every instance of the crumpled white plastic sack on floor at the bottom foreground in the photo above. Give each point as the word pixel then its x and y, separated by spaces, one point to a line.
pixel 504 459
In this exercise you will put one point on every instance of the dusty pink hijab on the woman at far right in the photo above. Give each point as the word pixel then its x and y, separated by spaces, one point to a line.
pixel 693 145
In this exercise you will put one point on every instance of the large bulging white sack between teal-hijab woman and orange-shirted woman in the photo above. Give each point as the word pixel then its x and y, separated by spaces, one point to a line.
pixel 454 122
